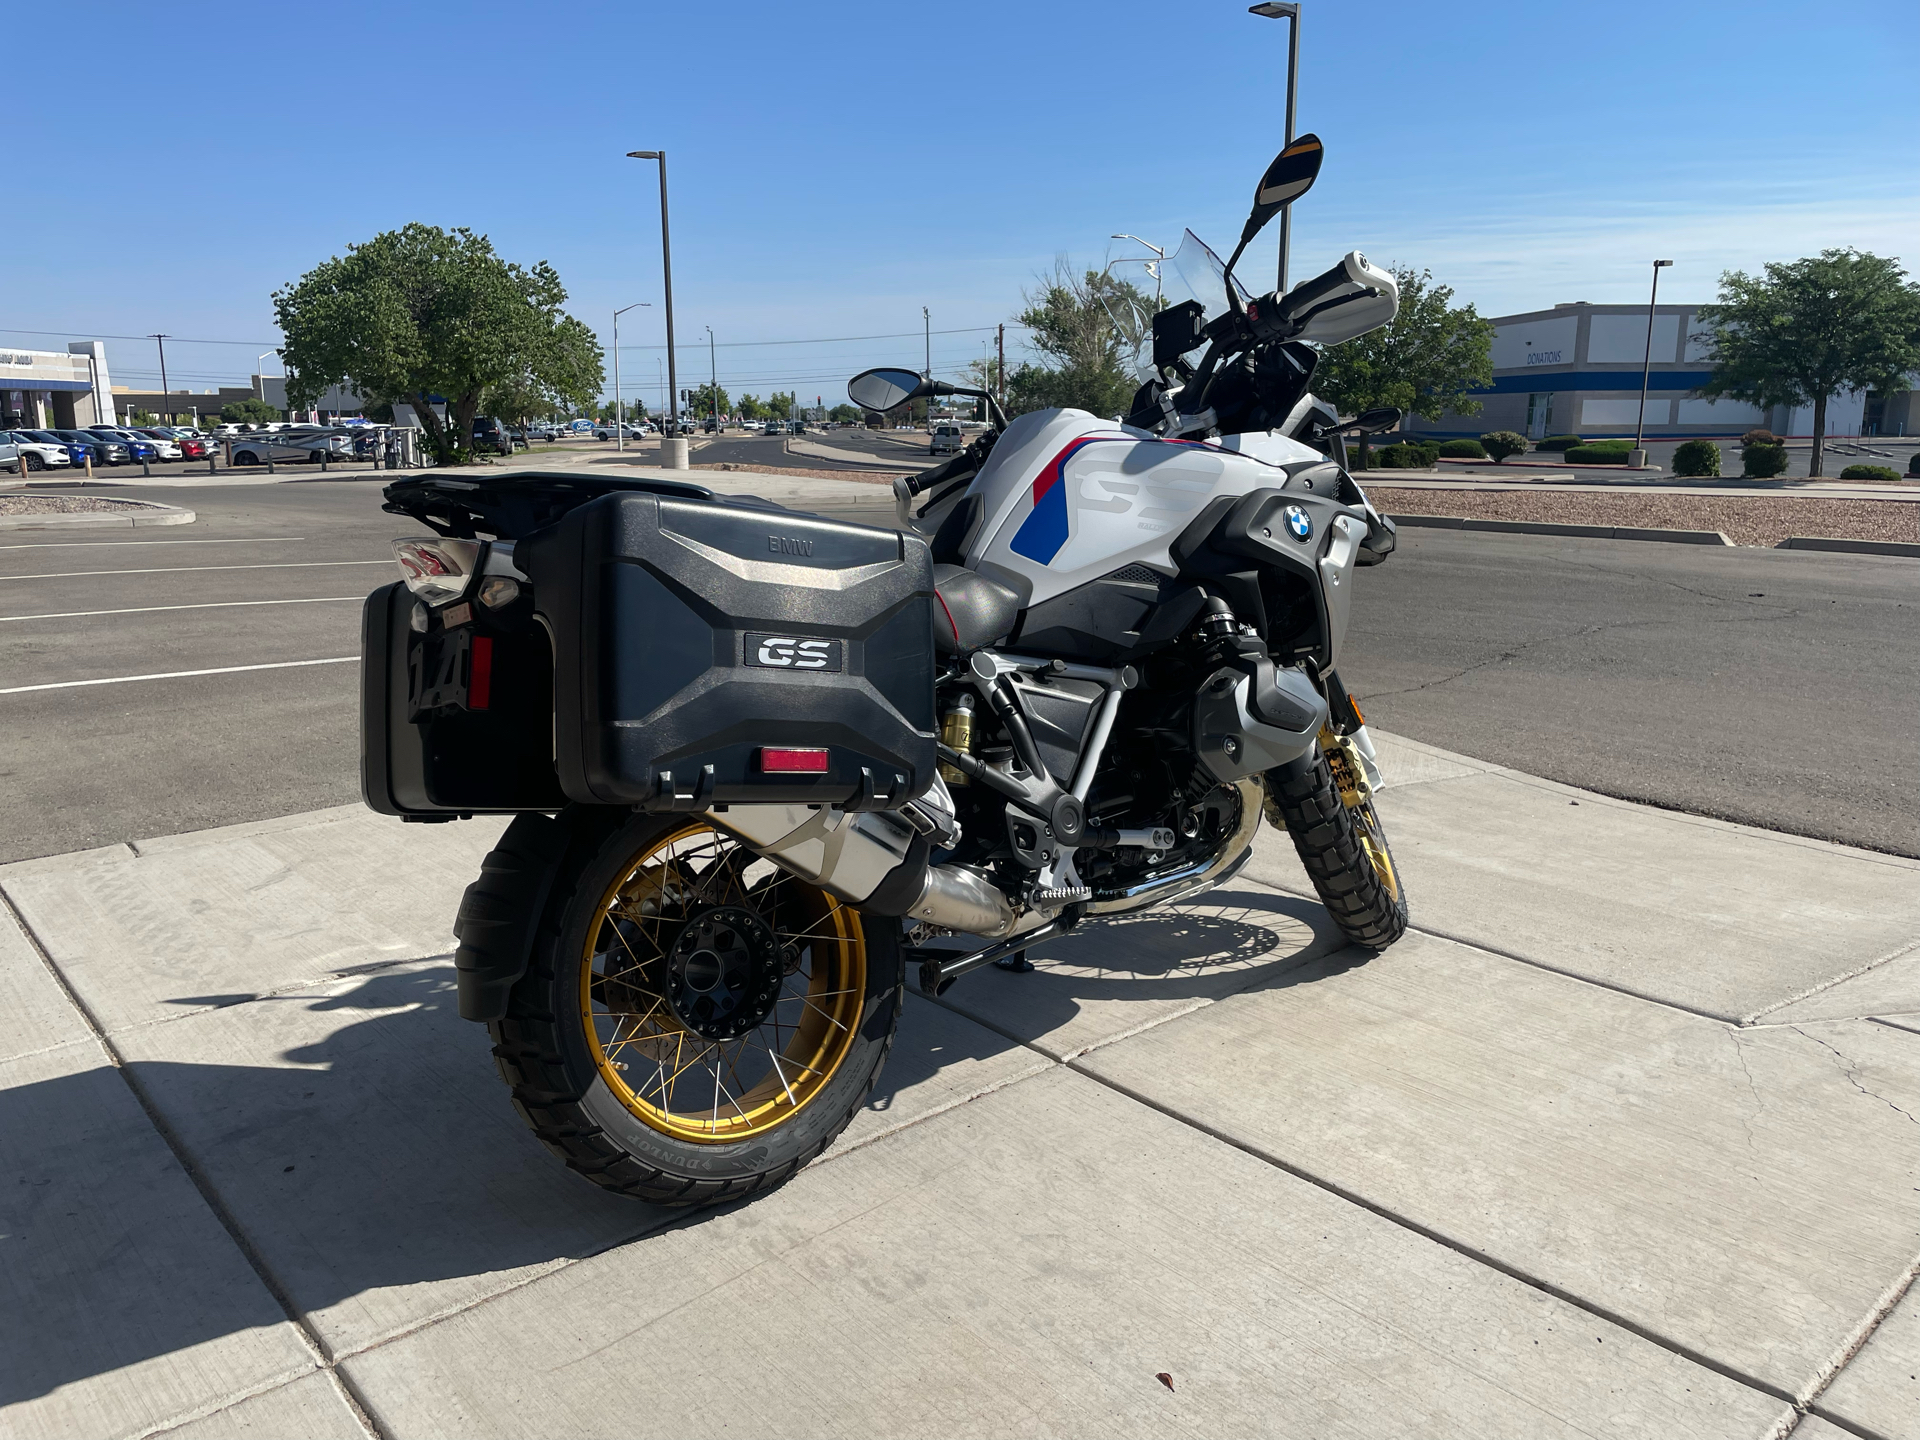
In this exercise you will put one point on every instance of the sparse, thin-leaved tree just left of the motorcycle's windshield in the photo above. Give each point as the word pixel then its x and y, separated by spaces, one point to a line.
pixel 1070 324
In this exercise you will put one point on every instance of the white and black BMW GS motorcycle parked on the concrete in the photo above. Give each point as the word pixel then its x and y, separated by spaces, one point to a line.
pixel 763 765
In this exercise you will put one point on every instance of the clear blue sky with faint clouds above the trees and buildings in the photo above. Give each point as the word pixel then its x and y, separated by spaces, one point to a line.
pixel 838 166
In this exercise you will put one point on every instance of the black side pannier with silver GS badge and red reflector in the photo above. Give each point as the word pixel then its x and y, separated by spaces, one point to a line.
pixel 711 652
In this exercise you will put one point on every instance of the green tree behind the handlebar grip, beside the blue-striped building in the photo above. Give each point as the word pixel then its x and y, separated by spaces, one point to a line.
pixel 1426 360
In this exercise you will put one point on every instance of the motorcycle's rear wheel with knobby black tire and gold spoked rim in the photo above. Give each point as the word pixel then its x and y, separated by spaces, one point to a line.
pixel 696 1024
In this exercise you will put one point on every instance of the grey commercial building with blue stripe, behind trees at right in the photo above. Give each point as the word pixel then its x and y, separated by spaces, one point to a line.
pixel 1575 370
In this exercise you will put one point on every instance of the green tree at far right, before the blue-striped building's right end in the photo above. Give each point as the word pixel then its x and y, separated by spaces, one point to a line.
pixel 1812 329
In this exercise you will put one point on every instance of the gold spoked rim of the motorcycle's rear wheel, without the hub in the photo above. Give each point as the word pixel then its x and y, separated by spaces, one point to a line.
pixel 671 1078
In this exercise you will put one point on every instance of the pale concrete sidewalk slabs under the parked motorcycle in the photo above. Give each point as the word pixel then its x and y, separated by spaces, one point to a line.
pixel 1623 1140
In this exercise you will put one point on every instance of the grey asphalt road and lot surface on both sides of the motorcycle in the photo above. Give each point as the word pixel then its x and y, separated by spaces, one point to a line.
pixel 1777 688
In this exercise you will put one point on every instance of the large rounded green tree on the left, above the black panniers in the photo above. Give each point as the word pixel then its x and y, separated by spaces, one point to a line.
pixel 421 312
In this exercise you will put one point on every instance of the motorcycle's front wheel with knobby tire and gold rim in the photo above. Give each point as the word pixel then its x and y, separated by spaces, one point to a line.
pixel 1341 844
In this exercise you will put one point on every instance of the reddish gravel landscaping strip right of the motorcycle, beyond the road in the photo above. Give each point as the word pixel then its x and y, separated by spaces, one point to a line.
pixel 1746 519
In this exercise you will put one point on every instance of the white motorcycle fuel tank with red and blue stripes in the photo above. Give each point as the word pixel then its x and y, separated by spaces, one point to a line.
pixel 1070 498
